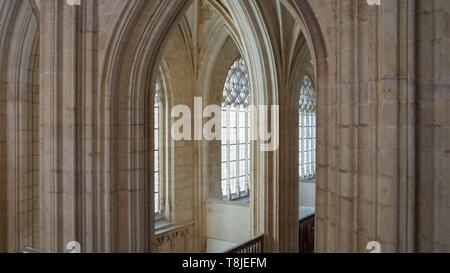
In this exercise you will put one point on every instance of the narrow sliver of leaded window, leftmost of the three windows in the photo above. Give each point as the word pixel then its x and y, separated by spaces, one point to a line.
pixel 157 138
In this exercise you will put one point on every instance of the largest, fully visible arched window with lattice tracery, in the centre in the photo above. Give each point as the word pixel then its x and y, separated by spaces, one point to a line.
pixel 235 133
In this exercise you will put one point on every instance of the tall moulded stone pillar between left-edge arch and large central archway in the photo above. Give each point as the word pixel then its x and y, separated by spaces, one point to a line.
pixel 70 205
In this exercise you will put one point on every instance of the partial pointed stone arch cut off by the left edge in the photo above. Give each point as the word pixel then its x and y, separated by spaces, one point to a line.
pixel 19 122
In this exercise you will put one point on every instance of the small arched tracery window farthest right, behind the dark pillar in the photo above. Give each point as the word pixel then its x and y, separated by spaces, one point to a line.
pixel 307 131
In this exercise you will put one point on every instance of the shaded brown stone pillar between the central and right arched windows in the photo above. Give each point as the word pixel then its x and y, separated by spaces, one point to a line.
pixel 289 150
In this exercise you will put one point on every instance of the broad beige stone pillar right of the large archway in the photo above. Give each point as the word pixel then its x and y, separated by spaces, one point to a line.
pixel 369 184
